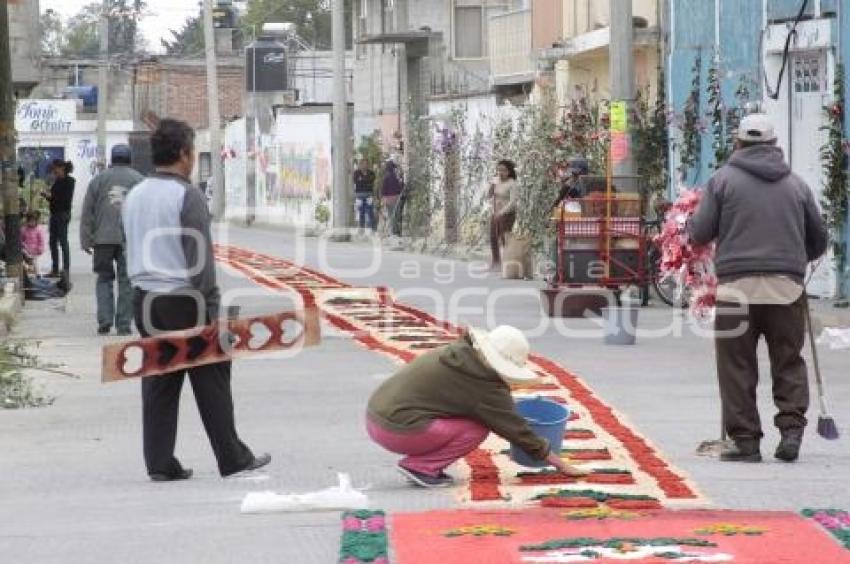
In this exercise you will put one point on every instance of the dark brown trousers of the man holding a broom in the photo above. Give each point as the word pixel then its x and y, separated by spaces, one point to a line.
pixel 783 329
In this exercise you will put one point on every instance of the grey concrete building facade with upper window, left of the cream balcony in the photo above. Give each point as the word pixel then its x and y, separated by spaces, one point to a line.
pixel 409 53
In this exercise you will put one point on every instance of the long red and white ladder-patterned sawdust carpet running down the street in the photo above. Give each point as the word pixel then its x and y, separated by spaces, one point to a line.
pixel 624 465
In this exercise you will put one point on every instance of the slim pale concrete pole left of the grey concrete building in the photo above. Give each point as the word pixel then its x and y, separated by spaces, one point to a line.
pixel 342 201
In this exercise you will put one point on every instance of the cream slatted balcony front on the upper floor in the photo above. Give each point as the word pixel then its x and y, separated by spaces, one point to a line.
pixel 510 43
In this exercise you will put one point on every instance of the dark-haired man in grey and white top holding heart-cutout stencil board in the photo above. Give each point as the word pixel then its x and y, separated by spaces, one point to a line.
pixel 172 269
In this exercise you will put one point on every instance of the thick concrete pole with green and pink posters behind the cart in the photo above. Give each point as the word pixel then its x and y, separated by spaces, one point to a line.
pixel 622 66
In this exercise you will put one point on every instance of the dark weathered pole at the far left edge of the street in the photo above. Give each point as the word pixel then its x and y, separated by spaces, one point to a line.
pixel 8 170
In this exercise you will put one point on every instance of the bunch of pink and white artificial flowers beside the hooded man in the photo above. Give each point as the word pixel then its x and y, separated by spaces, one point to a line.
pixel 690 264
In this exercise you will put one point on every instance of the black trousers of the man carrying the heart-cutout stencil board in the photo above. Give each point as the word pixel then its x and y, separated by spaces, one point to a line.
pixel 161 395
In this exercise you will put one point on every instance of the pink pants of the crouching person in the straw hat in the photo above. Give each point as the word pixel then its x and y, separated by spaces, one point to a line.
pixel 433 448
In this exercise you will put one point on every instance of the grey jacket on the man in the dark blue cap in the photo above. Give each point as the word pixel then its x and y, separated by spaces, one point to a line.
pixel 100 223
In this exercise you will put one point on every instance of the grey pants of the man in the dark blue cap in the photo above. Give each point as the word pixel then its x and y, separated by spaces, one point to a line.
pixel 109 263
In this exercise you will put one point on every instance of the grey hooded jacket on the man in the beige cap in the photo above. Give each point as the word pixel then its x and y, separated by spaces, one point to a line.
pixel 763 216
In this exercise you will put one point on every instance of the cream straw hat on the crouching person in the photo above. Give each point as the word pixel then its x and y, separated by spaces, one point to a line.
pixel 505 349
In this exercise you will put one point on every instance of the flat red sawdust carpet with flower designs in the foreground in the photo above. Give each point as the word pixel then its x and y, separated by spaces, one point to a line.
pixel 496 537
